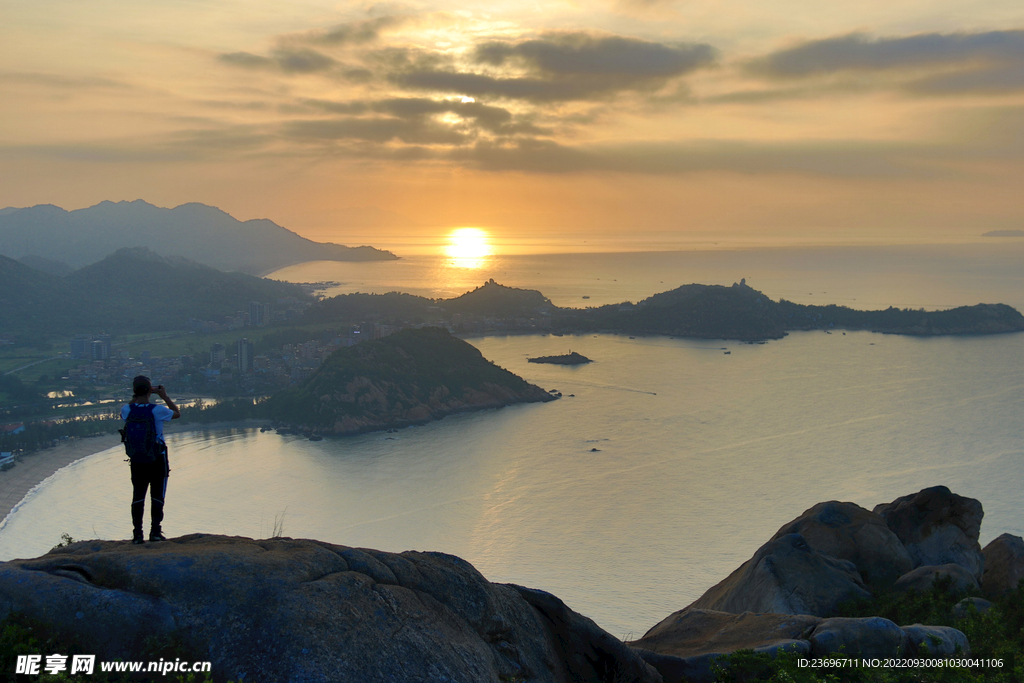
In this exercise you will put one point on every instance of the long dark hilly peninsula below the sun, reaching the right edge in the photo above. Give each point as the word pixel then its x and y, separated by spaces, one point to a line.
pixel 697 312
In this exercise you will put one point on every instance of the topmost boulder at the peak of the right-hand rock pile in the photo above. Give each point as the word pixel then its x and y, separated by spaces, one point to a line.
pixel 937 527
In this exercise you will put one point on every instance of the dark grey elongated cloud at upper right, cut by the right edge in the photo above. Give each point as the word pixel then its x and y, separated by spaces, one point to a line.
pixel 860 53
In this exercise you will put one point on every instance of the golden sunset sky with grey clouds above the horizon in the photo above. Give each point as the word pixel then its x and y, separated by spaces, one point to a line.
pixel 887 120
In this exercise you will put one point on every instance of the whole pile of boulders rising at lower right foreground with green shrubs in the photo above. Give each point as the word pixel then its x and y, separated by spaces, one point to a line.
pixel 787 595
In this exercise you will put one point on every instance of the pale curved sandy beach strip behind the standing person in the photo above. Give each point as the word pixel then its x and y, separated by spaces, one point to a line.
pixel 34 468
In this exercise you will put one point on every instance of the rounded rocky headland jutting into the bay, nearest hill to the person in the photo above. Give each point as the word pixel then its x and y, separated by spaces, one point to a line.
pixel 409 378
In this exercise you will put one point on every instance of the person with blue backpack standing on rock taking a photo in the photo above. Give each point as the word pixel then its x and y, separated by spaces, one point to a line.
pixel 144 440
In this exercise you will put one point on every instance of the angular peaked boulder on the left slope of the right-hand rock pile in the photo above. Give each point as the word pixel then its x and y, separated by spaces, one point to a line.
pixel 787 576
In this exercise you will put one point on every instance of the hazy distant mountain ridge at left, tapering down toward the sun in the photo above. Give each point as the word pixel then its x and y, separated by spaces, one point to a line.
pixel 197 232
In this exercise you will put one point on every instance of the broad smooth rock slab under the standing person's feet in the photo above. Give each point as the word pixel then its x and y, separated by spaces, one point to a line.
pixel 305 611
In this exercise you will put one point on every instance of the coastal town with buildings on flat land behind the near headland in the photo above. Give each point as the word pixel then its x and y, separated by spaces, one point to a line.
pixel 97 368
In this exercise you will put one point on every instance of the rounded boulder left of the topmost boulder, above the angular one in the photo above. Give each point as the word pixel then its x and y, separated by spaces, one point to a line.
pixel 848 532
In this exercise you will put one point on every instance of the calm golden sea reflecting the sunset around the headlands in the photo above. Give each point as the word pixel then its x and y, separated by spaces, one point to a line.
pixel 667 462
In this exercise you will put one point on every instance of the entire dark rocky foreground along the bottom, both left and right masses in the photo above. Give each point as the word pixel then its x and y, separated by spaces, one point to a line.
pixel 284 610
